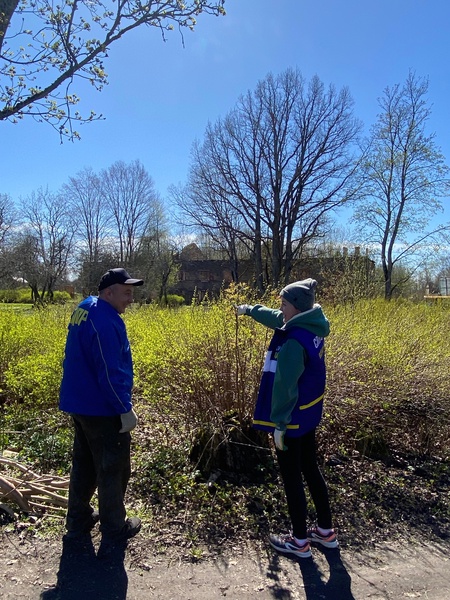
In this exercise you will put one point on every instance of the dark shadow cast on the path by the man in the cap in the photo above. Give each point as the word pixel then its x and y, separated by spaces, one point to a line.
pixel 84 574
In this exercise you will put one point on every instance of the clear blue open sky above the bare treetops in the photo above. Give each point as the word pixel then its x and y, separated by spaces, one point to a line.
pixel 161 95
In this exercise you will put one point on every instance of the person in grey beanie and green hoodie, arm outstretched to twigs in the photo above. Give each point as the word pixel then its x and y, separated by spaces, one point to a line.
pixel 290 404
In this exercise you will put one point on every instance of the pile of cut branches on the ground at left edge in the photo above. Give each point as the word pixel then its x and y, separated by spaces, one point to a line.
pixel 32 493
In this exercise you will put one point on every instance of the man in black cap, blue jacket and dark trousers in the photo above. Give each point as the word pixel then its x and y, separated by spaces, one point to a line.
pixel 96 391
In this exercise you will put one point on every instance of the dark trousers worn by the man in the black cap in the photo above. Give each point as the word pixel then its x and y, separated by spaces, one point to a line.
pixel 101 459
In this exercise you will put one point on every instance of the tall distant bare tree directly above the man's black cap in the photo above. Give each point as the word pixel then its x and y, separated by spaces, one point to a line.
pixel 128 191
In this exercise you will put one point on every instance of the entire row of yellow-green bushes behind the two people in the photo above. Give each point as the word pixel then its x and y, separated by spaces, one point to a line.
pixel 197 368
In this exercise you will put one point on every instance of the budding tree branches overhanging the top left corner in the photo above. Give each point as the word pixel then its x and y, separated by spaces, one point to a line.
pixel 46 47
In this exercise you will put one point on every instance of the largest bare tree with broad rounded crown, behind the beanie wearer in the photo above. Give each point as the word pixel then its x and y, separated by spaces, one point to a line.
pixel 269 173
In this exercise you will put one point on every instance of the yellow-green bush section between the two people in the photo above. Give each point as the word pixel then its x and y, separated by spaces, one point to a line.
pixel 199 361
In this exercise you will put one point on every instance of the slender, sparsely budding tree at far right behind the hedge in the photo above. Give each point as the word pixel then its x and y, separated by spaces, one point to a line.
pixel 404 175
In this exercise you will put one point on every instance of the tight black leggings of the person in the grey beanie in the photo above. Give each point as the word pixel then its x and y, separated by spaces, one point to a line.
pixel 297 462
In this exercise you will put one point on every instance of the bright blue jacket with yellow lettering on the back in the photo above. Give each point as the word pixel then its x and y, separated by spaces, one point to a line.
pixel 97 369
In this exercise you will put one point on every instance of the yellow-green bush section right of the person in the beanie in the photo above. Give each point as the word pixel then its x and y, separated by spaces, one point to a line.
pixel 388 376
